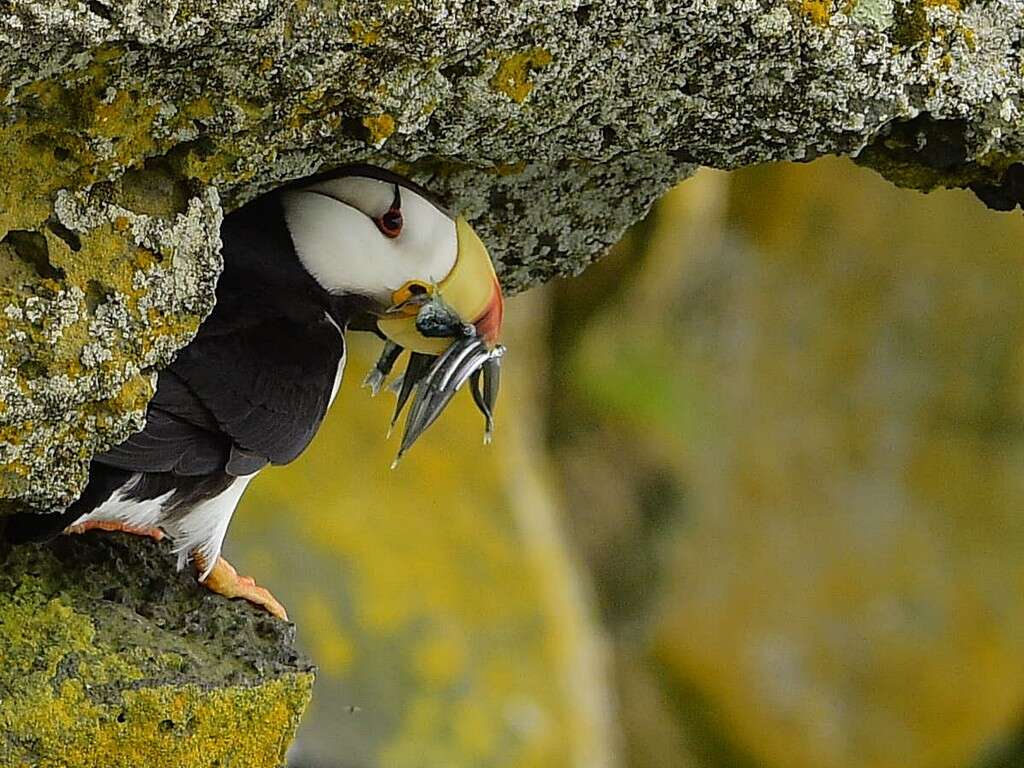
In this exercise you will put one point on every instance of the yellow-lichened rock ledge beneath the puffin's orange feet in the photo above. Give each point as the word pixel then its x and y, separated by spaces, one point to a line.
pixel 108 660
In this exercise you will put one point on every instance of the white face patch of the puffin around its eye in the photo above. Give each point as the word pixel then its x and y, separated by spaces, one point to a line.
pixel 338 243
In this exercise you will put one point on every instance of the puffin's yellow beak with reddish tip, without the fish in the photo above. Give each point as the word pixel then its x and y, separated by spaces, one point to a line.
pixel 472 289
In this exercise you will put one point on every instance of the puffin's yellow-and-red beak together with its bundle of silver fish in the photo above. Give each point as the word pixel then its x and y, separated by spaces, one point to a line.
pixel 452 330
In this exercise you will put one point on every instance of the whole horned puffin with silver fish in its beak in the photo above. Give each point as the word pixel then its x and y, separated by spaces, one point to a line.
pixel 357 249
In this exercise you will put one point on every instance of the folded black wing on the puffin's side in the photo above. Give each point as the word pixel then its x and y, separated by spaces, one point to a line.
pixel 235 402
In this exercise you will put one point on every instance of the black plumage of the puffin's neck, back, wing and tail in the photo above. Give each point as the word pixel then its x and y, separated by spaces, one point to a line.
pixel 251 390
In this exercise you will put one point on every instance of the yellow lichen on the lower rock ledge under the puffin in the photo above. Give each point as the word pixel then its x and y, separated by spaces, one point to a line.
pixel 106 715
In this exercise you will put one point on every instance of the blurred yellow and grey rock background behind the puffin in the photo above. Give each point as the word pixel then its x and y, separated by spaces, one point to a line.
pixel 755 500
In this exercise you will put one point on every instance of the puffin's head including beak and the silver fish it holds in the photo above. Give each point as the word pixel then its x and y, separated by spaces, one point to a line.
pixel 424 275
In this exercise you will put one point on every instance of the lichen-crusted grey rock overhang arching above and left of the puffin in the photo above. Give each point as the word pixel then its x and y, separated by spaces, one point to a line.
pixel 552 125
